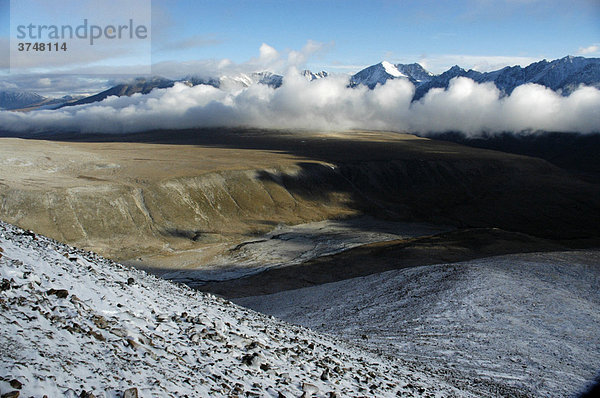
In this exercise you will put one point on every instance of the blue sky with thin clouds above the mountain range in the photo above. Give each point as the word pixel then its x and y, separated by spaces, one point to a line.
pixel 346 36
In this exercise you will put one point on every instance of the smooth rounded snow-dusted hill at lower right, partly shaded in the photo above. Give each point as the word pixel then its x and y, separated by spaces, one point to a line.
pixel 530 322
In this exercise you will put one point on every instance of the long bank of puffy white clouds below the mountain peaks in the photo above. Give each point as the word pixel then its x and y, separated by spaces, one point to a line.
pixel 328 104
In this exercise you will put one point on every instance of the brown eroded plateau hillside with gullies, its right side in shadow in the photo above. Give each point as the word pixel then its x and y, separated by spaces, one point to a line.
pixel 161 197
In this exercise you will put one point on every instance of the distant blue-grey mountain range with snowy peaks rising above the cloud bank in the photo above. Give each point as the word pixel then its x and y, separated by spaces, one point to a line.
pixel 562 75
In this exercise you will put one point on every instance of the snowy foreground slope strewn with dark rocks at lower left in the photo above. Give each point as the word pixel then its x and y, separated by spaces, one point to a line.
pixel 73 324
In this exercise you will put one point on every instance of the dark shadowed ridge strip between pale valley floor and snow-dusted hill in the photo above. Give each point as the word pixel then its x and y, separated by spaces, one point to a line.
pixel 448 247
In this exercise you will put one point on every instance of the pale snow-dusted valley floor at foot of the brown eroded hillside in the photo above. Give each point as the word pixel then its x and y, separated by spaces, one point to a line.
pixel 294 244
